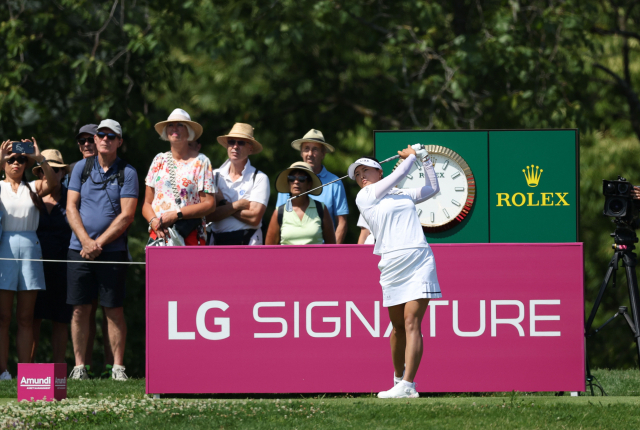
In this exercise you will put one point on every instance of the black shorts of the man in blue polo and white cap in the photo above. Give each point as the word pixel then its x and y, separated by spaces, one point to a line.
pixel 86 281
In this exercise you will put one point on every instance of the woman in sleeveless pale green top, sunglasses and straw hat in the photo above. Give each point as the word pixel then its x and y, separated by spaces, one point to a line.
pixel 309 223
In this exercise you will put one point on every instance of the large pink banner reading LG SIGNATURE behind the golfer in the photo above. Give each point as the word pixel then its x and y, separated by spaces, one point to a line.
pixel 281 319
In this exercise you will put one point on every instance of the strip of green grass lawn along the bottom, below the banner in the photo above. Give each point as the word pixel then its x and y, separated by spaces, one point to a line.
pixel 104 403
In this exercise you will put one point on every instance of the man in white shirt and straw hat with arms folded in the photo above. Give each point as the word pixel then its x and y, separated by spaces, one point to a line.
pixel 243 191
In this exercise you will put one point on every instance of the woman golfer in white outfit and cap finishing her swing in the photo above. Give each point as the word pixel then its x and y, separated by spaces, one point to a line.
pixel 407 267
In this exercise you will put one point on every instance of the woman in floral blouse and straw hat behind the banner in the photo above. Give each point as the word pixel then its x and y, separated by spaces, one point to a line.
pixel 179 185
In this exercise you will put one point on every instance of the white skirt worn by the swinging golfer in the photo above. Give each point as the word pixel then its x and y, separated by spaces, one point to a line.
pixel 408 274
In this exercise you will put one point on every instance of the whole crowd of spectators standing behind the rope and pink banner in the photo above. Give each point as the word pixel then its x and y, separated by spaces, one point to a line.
pixel 76 216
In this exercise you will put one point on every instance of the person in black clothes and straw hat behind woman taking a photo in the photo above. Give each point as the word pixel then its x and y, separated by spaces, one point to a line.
pixel 54 234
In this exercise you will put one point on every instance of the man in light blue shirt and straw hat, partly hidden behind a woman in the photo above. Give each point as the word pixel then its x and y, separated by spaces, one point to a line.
pixel 313 148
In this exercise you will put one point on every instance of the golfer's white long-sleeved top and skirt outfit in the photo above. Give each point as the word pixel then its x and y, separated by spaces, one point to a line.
pixel 407 267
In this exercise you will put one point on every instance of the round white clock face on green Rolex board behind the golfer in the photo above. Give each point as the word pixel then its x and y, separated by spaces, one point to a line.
pixel 452 203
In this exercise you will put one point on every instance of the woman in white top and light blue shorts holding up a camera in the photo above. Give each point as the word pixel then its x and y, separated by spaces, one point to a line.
pixel 20 207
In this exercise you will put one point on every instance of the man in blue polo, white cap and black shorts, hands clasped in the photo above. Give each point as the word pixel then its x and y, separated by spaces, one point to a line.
pixel 101 204
